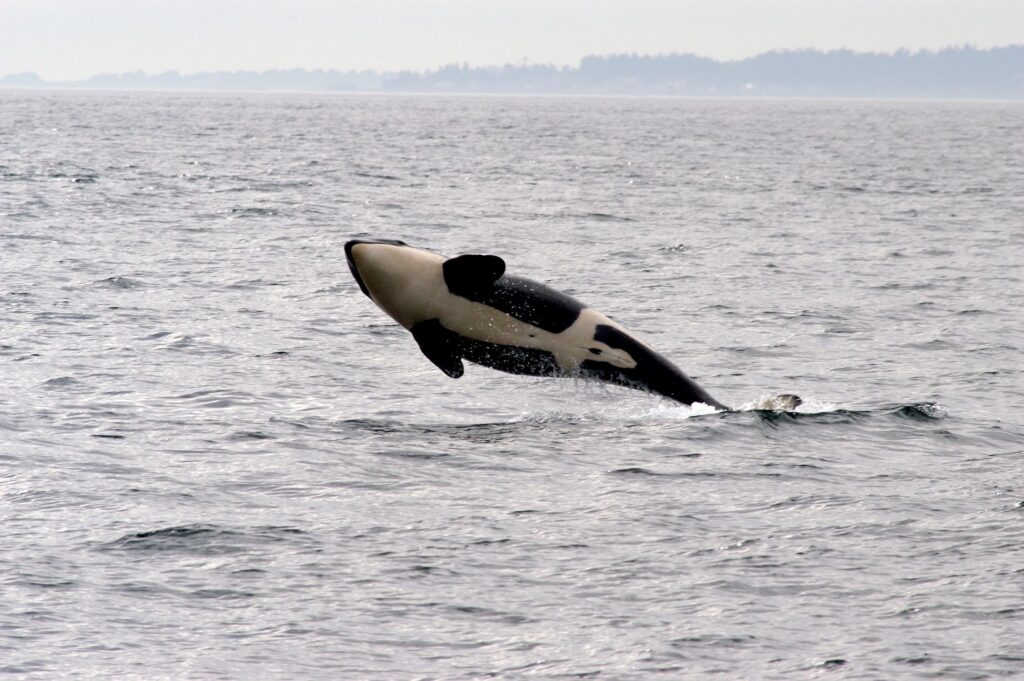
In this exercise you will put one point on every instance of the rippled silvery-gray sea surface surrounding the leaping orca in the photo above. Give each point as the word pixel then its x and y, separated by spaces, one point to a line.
pixel 219 460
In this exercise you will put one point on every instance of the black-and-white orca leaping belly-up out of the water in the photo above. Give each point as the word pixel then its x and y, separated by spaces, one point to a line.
pixel 468 309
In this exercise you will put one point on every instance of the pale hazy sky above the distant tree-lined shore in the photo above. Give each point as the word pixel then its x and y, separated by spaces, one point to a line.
pixel 73 39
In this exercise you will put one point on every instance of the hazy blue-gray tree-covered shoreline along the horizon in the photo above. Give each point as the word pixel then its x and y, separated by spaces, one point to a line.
pixel 952 74
